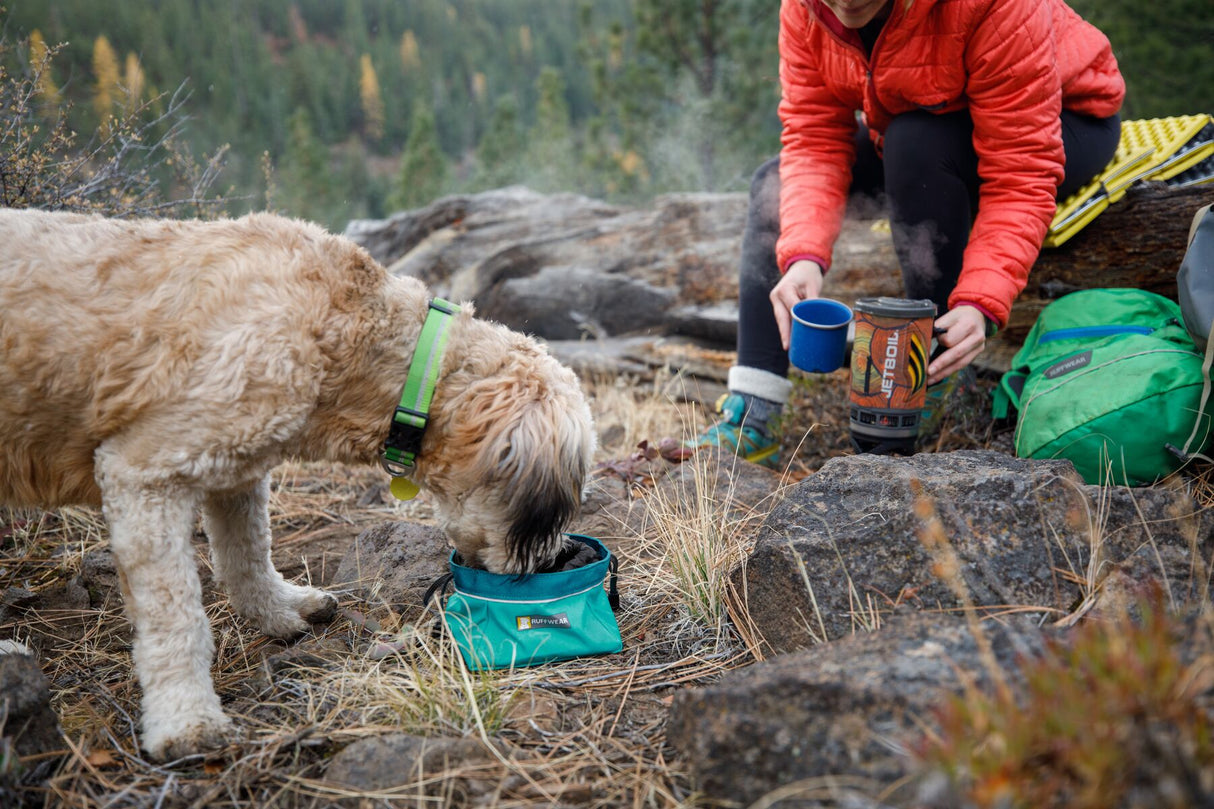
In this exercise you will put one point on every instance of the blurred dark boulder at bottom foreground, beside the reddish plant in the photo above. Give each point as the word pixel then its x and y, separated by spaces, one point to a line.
pixel 848 710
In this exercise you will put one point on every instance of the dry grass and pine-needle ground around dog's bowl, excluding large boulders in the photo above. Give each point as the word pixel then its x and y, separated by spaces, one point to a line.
pixel 350 709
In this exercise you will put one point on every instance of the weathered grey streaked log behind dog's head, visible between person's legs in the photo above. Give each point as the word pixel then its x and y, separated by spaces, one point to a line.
pixel 565 267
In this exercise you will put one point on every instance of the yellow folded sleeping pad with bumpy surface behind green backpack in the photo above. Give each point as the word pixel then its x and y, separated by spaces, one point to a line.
pixel 1178 151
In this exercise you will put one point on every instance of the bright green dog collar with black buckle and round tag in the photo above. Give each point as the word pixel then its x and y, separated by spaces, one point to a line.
pixel 404 443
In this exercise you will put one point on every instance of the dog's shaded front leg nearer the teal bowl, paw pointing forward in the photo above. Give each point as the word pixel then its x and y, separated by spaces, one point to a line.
pixel 239 525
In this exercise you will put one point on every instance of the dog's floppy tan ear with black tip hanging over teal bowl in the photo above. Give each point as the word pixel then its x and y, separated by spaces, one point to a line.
pixel 548 460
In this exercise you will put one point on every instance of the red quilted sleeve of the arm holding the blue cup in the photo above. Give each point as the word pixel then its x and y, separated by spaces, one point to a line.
pixel 819 148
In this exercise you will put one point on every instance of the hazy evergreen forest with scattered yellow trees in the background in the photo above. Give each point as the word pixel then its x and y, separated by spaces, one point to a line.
pixel 337 110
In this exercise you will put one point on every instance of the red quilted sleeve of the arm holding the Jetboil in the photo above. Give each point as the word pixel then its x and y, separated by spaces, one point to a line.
pixel 1016 100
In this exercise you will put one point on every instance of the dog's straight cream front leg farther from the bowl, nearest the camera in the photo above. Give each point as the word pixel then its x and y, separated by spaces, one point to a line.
pixel 151 525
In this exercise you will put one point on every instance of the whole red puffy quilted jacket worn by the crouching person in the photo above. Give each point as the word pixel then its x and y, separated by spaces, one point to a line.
pixel 1013 64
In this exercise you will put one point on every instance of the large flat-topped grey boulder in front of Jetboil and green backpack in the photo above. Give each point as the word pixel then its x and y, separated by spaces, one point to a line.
pixel 951 530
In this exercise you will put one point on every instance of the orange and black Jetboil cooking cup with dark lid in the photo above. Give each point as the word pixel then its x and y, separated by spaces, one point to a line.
pixel 889 374
